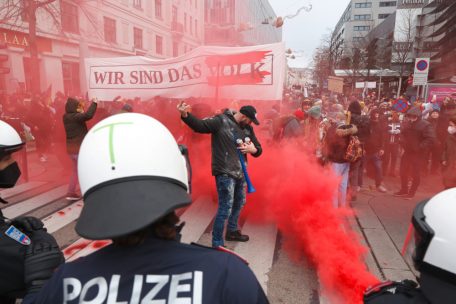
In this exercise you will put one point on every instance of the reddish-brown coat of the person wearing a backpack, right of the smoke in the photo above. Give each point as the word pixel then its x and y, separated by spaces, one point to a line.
pixel 337 140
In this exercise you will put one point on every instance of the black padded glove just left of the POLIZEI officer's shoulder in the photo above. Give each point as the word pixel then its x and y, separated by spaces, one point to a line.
pixel 42 256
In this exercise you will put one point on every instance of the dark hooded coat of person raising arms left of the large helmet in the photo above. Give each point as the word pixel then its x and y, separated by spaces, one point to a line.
pixel 75 124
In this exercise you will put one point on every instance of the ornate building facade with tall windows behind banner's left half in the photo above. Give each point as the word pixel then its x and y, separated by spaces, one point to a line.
pixel 101 28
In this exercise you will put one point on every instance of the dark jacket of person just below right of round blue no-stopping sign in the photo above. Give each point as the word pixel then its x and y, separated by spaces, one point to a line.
pixel 418 137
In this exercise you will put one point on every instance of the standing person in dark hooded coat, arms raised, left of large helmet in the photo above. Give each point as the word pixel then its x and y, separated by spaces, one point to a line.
pixel 74 121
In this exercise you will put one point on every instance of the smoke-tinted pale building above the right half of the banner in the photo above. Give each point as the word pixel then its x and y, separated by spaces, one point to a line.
pixel 240 23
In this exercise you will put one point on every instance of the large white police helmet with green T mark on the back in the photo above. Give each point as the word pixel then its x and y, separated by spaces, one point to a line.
pixel 131 172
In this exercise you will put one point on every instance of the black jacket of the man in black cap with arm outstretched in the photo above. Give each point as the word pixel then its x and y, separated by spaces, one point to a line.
pixel 225 131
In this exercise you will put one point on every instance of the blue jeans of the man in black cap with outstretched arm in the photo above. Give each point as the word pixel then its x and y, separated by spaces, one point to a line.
pixel 231 199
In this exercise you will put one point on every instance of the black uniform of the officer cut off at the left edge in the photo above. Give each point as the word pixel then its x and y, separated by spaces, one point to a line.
pixel 12 254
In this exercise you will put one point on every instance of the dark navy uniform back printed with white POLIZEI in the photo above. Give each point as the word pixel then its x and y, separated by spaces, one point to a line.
pixel 155 270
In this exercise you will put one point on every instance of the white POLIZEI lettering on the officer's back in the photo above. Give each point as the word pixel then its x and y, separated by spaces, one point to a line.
pixel 185 288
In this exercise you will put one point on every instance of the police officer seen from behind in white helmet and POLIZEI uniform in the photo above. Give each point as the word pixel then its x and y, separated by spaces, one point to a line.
pixel 133 176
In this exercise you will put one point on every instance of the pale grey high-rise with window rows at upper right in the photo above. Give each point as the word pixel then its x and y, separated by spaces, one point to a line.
pixel 358 19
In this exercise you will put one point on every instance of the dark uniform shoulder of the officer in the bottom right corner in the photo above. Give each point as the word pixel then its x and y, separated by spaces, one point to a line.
pixel 405 292
